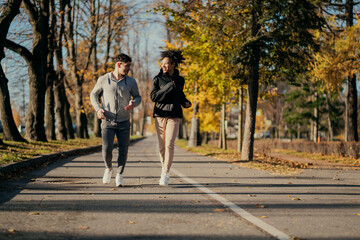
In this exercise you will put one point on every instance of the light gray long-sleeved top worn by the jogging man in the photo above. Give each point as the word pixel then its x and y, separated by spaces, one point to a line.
pixel 116 95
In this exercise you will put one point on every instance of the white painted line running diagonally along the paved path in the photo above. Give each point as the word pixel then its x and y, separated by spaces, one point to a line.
pixel 241 212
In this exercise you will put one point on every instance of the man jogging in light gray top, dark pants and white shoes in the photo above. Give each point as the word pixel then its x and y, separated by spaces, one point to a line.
pixel 119 94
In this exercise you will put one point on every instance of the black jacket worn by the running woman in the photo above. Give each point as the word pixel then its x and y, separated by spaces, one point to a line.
pixel 168 95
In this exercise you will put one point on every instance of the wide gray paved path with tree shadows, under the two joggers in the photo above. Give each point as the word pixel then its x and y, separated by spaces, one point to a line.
pixel 206 199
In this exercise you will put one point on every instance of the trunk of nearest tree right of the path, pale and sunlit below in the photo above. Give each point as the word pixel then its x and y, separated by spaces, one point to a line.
pixel 252 90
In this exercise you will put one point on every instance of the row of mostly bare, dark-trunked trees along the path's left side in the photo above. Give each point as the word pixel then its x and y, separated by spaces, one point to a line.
pixel 72 44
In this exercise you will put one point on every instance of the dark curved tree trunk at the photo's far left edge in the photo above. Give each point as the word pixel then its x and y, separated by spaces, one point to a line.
pixel 10 131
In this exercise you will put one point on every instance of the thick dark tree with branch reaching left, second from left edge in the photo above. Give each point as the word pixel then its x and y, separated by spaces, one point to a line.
pixel 37 66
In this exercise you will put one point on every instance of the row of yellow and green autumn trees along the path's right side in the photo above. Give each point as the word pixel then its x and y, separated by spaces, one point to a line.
pixel 254 45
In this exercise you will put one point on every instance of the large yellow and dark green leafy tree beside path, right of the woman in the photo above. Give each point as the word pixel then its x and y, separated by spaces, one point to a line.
pixel 269 40
